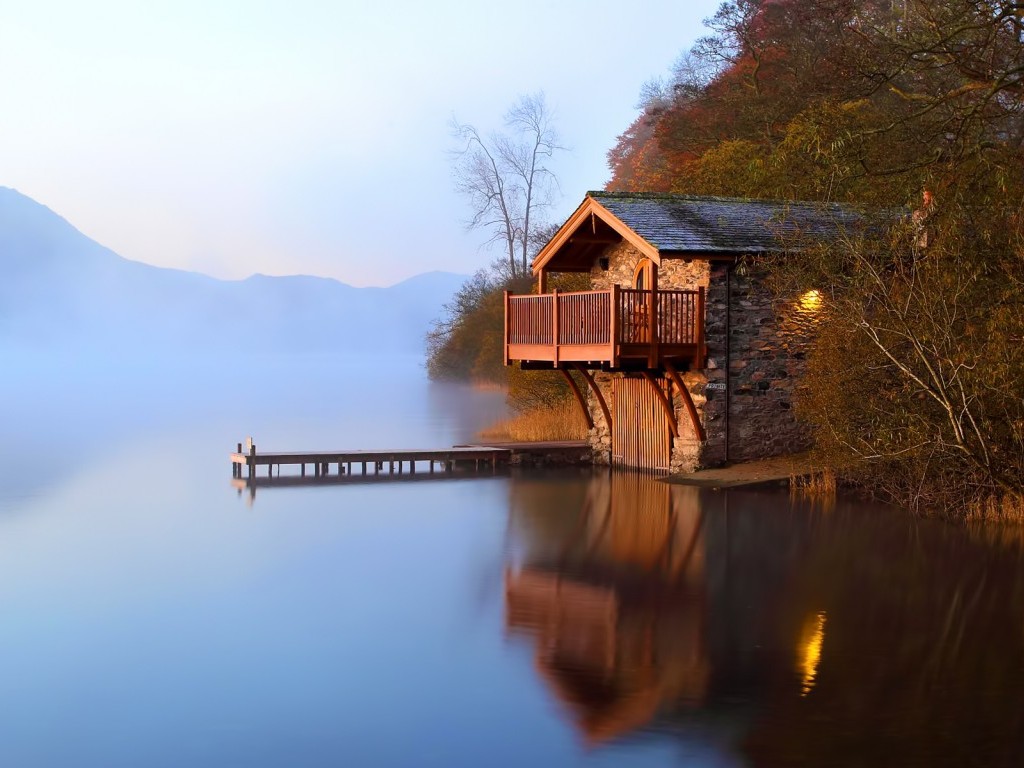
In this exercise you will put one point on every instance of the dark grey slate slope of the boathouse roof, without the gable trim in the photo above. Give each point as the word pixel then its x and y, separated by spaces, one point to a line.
pixel 684 223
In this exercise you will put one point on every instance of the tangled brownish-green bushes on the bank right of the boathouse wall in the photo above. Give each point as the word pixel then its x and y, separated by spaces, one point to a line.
pixel 915 382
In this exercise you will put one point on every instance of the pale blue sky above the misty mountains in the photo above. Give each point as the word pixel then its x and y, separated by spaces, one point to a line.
pixel 306 137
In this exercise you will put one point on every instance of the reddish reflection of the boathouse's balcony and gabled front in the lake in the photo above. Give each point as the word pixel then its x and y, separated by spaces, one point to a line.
pixel 618 608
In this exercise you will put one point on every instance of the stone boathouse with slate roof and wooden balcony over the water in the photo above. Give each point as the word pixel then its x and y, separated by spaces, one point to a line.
pixel 689 359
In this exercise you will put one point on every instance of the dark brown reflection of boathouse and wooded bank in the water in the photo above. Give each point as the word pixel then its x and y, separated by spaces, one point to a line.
pixel 779 634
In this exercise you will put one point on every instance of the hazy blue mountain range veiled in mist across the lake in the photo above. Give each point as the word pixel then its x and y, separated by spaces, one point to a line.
pixel 60 287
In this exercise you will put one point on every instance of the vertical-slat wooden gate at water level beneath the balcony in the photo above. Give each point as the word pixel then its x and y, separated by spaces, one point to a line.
pixel 641 434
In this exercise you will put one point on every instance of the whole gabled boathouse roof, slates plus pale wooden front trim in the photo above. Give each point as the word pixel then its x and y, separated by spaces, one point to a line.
pixel 680 225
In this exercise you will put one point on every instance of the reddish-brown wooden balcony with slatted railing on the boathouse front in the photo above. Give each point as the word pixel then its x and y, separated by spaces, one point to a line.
pixel 617 329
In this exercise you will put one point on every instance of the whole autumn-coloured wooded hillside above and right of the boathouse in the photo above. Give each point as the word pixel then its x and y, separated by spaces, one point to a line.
pixel 912 111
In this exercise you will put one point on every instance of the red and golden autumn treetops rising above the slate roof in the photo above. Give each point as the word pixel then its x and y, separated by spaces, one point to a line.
pixel 869 96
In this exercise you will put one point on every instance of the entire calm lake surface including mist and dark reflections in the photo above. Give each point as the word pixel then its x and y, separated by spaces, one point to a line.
pixel 151 616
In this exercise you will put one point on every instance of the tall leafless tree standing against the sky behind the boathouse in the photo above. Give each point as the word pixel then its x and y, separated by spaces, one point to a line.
pixel 506 178
